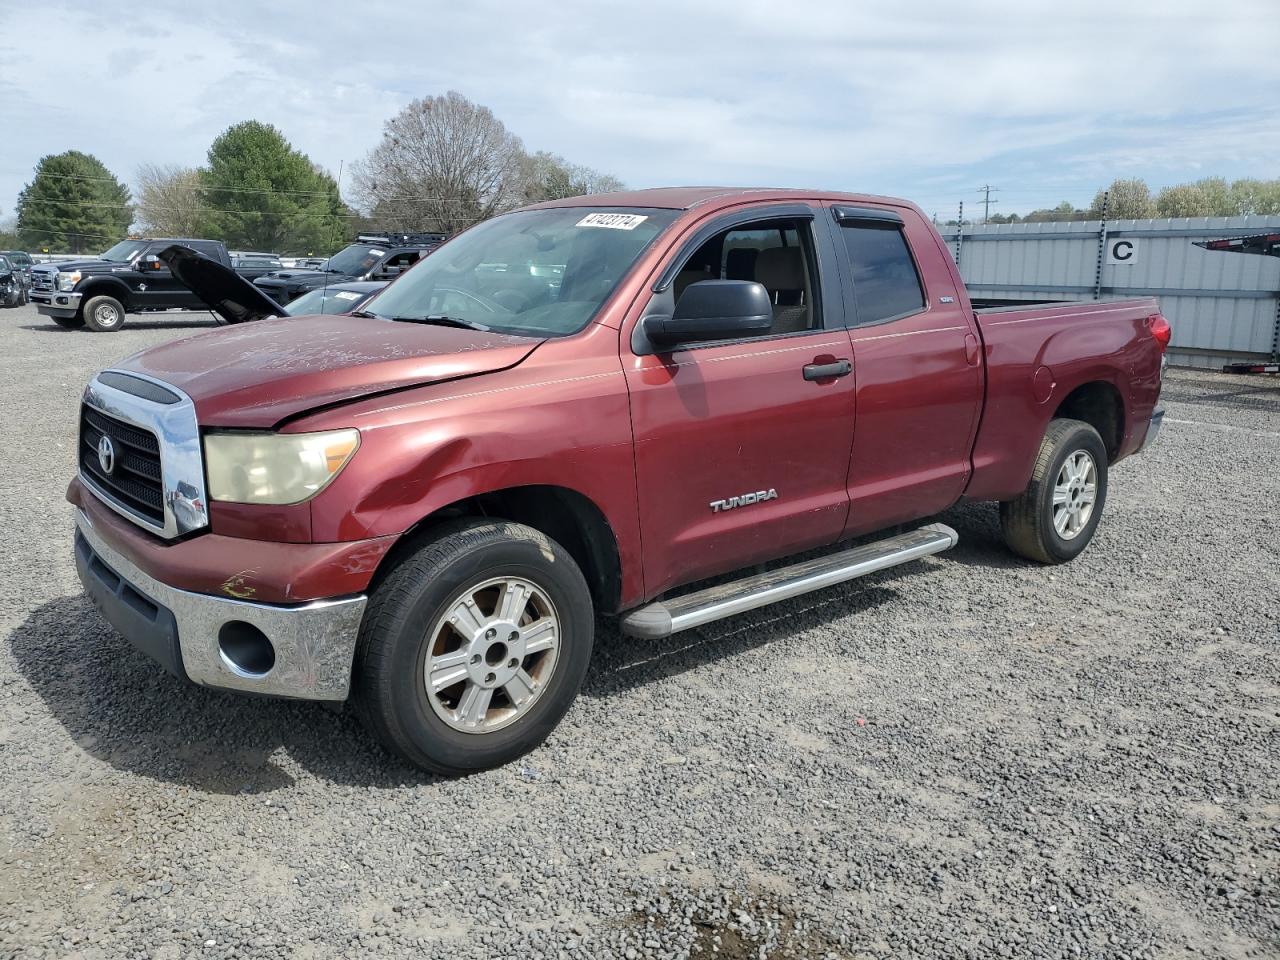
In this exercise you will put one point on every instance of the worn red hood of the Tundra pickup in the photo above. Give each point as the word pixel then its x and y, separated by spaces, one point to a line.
pixel 258 376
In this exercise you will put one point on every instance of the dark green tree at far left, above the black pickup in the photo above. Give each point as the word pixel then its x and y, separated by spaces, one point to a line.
pixel 74 205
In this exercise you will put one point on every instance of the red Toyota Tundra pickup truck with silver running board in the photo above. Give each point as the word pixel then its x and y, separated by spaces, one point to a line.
pixel 583 408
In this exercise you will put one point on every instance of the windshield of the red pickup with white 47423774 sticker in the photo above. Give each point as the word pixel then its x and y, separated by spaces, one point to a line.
pixel 538 272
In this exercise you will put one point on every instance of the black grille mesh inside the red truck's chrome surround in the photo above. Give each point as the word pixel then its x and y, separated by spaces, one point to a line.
pixel 135 478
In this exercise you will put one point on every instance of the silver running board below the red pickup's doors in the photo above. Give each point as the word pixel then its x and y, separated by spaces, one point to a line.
pixel 666 618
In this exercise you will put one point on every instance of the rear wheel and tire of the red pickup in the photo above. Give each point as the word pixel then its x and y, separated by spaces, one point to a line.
pixel 1035 527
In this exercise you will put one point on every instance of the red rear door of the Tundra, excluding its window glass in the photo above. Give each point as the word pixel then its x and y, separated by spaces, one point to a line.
pixel 920 394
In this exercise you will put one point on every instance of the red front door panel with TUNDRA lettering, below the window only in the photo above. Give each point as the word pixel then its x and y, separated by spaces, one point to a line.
pixel 717 423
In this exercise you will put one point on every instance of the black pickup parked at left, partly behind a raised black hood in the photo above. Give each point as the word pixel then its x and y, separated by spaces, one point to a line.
pixel 130 278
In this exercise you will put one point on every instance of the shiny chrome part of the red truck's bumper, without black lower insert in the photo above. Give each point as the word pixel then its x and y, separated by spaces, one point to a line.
pixel 314 643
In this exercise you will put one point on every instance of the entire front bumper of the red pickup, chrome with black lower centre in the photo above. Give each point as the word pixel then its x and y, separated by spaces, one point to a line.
pixel 204 638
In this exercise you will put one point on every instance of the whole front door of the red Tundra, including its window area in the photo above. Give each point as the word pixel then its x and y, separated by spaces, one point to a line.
pixel 733 420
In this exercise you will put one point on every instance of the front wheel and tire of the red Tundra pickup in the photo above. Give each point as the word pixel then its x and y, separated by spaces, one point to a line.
pixel 409 630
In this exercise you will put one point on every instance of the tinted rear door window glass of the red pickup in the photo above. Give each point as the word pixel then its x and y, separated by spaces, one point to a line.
pixel 886 282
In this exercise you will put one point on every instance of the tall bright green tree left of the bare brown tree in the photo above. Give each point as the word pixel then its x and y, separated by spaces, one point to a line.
pixel 262 194
